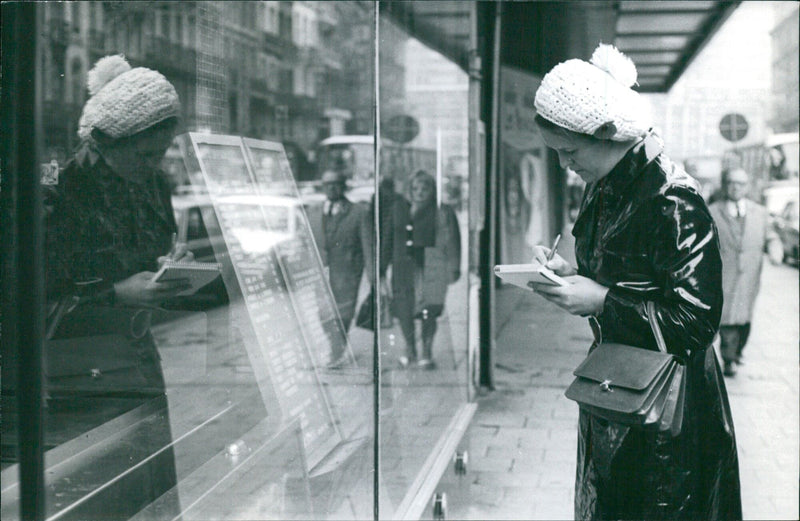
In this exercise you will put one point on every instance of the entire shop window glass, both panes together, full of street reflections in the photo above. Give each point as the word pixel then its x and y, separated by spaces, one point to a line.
pixel 324 374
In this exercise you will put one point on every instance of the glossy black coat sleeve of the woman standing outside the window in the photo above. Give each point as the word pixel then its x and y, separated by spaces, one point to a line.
pixel 683 249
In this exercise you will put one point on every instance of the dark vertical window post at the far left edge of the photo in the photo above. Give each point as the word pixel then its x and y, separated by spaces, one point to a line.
pixel 22 203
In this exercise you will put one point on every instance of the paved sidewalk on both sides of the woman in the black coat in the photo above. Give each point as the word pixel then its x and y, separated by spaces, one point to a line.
pixel 522 440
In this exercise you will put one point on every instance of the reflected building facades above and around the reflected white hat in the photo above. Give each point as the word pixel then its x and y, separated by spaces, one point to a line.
pixel 291 71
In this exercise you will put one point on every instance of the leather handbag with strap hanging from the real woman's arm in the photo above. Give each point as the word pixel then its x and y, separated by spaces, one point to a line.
pixel 631 385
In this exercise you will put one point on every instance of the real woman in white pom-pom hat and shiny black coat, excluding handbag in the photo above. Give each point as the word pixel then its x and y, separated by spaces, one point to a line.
pixel 643 234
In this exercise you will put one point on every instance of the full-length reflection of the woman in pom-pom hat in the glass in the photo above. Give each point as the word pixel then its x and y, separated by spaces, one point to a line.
pixel 110 220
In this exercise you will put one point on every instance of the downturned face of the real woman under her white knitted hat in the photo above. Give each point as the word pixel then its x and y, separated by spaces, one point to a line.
pixel 588 157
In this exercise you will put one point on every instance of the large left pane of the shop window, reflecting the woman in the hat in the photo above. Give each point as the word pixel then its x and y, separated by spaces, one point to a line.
pixel 250 396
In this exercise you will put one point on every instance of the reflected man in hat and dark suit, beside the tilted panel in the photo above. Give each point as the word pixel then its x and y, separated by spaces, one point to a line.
pixel 343 225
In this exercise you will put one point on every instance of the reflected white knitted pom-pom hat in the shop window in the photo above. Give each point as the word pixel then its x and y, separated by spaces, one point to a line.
pixel 125 101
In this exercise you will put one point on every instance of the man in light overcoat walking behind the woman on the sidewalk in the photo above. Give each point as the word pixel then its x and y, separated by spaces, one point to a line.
pixel 743 234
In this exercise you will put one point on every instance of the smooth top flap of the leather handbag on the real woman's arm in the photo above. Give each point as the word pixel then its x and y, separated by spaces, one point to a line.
pixel 623 366
